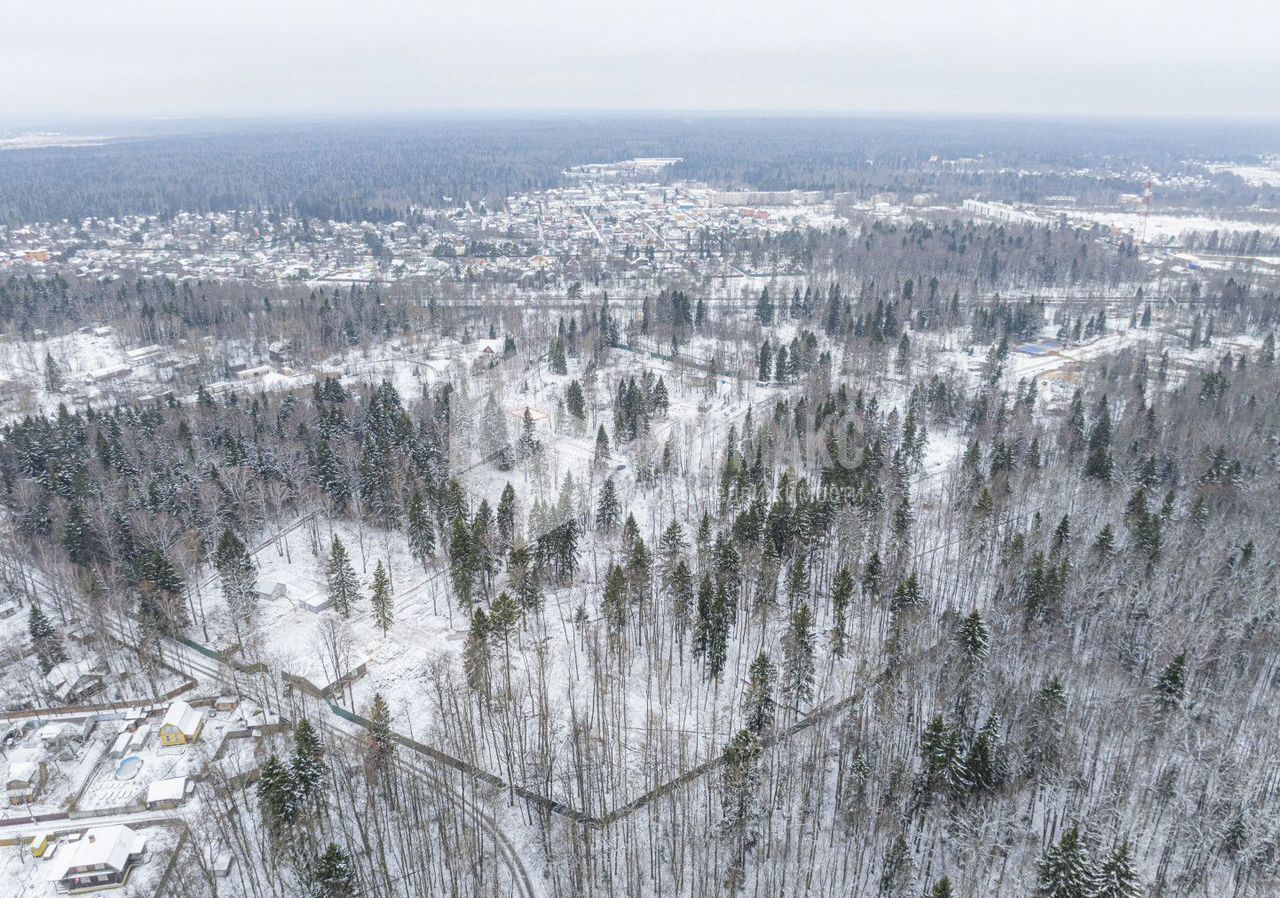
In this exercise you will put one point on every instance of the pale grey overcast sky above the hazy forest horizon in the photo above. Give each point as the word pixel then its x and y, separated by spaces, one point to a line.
pixel 199 58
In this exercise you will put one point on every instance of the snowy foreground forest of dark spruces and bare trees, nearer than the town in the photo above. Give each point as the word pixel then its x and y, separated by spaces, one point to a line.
pixel 948 569
